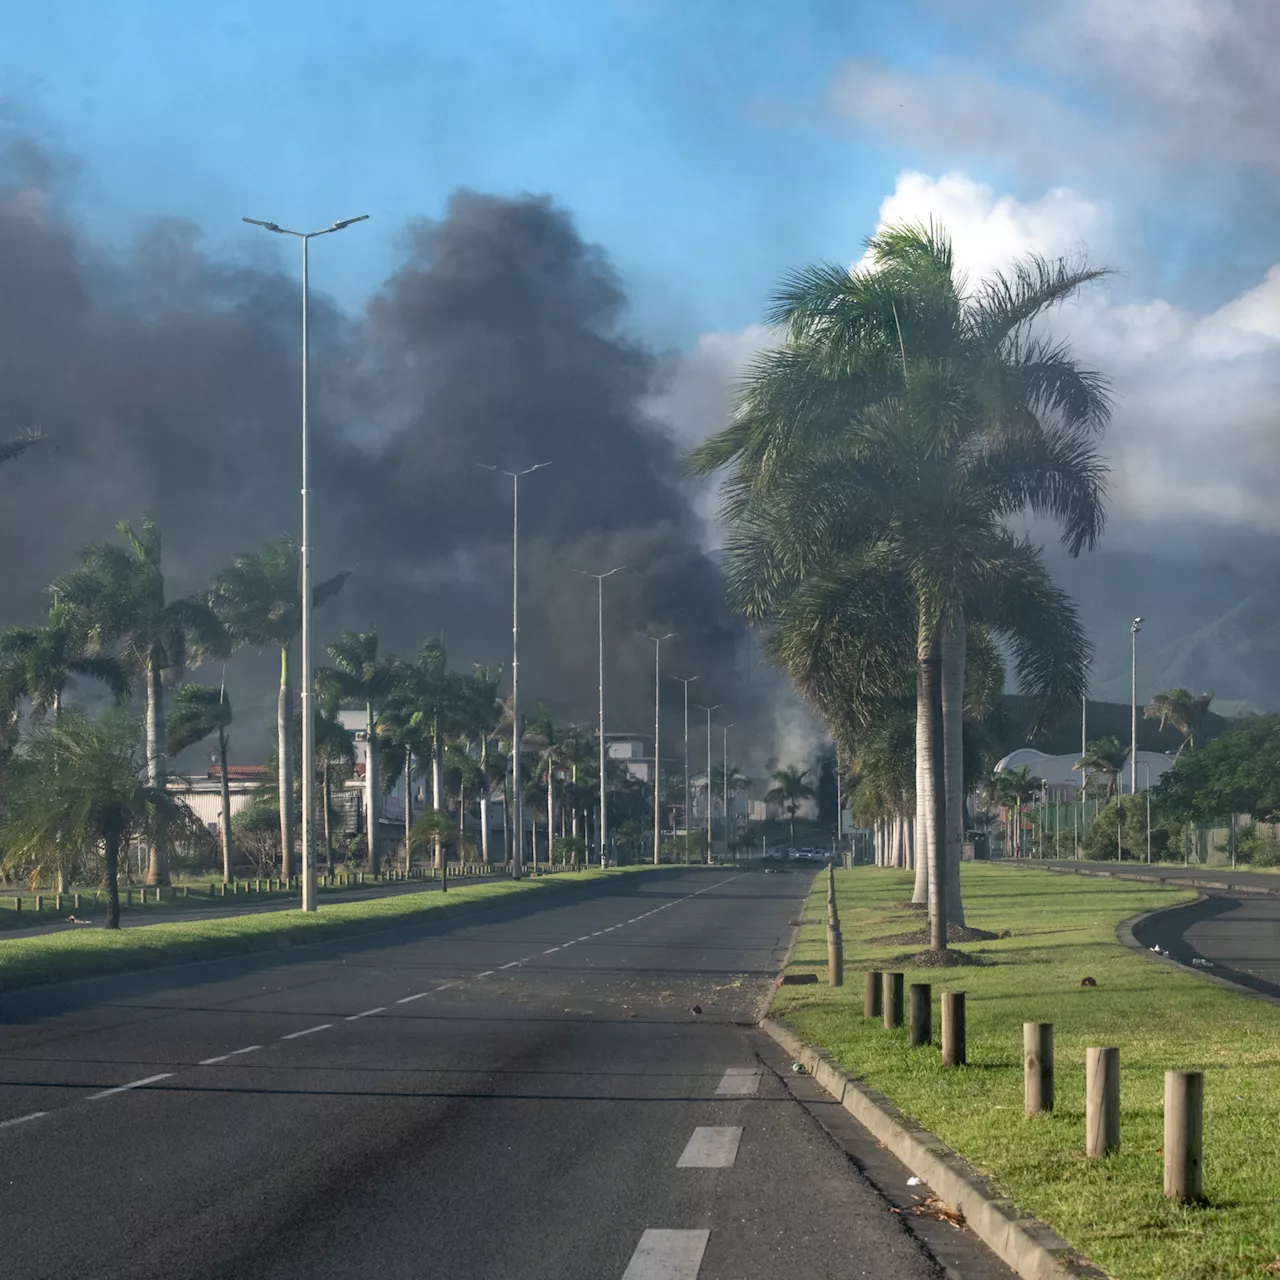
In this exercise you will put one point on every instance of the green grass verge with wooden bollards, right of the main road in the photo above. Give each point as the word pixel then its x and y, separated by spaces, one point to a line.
pixel 1163 1018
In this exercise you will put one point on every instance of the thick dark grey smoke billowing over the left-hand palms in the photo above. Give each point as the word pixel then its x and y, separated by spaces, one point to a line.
pixel 170 381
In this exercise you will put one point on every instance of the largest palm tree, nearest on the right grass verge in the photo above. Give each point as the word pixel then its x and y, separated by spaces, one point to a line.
pixel 885 447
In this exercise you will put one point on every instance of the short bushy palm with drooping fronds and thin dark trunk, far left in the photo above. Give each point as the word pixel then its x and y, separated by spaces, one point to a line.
pixel 86 784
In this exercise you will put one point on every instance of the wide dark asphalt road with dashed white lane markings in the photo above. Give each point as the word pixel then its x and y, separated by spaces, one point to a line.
pixel 524 1092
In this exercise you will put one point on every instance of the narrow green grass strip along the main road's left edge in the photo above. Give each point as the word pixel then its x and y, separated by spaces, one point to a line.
pixel 92 953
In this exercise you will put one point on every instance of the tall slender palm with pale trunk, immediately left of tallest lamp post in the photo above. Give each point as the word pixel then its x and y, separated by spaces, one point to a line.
pixel 259 600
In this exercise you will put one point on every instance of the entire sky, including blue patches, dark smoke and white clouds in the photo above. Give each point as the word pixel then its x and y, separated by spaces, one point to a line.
pixel 680 161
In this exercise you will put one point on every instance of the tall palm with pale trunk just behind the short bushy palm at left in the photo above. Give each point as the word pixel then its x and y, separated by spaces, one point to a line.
pixel 118 595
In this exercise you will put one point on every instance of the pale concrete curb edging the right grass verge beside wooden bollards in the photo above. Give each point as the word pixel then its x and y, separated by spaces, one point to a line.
pixel 1022 1242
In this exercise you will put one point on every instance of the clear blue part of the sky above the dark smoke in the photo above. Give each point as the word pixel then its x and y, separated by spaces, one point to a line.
pixel 694 141
